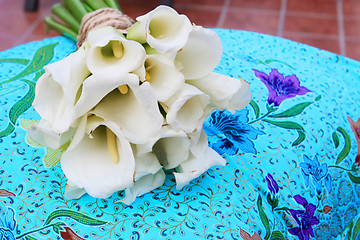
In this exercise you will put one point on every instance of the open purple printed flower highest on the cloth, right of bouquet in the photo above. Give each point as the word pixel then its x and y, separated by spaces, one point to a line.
pixel 280 87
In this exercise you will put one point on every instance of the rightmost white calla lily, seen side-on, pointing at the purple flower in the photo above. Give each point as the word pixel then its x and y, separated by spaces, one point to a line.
pixel 225 92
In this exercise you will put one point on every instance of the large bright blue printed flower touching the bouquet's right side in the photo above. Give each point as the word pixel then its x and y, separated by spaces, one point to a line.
pixel 236 133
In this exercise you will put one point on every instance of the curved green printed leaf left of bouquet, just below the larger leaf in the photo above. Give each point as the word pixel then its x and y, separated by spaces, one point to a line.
pixel 23 104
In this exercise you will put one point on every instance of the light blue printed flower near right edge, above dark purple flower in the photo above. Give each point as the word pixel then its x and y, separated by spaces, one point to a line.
pixel 318 172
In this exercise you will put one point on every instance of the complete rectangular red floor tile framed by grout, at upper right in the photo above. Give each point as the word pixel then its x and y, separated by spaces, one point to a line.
pixel 311 25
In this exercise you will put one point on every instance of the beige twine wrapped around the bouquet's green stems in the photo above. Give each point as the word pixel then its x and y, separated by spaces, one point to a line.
pixel 101 18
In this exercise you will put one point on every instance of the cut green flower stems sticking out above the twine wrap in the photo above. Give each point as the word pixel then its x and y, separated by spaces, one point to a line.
pixel 71 12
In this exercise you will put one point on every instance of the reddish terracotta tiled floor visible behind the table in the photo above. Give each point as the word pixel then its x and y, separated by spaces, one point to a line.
pixel 333 25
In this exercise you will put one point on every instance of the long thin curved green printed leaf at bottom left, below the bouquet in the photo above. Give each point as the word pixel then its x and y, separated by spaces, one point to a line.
pixel 77 216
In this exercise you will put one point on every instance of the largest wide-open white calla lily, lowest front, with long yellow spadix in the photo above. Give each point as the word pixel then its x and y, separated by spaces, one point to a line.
pixel 89 164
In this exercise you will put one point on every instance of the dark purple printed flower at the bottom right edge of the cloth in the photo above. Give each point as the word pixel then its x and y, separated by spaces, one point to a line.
pixel 304 218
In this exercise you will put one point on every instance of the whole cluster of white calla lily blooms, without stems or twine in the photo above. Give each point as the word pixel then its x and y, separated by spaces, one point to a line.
pixel 131 104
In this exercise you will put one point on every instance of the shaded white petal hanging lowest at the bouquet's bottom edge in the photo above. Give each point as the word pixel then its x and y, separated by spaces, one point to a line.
pixel 143 185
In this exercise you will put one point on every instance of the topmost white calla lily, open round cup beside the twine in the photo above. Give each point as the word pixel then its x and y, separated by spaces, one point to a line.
pixel 162 28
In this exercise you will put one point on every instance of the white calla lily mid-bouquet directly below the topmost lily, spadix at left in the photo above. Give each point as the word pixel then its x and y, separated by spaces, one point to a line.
pixel 163 76
